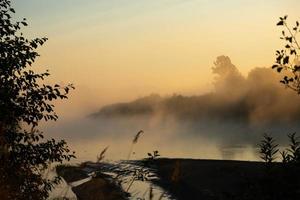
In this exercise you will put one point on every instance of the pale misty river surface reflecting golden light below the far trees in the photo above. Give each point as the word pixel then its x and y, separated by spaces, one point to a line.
pixel 89 137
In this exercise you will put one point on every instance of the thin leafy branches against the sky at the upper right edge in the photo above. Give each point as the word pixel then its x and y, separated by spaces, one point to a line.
pixel 287 59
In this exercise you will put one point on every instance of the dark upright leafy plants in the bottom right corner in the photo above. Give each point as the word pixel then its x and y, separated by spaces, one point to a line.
pixel 287 171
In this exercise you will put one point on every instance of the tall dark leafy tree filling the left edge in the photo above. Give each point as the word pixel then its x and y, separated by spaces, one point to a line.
pixel 24 101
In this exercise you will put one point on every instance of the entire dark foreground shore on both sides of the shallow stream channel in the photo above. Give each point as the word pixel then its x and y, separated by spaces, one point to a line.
pixel 193 179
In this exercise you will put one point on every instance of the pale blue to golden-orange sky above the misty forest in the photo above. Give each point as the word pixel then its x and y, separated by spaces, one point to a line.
pixel 117 50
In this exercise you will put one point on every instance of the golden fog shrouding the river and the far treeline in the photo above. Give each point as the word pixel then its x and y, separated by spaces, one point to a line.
pixel 226 123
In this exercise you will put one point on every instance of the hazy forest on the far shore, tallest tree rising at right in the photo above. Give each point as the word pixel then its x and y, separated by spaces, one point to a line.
pixel 257 98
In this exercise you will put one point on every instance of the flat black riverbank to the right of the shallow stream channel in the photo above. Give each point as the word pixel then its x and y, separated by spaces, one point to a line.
pixel 194 179
